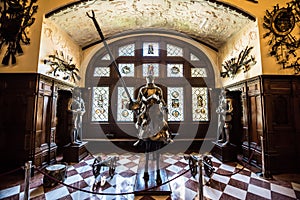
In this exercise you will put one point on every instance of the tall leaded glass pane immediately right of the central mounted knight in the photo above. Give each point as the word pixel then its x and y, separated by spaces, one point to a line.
pixel 175 104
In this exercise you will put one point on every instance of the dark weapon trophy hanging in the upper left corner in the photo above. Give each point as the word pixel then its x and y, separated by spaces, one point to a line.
pixel 16 16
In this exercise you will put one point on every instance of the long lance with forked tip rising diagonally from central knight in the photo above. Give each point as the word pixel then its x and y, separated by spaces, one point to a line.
pixel 109 52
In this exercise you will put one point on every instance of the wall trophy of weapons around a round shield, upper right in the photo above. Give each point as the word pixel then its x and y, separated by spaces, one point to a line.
pixel 284 40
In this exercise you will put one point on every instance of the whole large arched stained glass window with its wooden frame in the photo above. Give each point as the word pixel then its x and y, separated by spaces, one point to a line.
pixel 182 70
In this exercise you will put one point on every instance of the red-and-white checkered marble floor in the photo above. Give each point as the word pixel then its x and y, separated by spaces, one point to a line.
pixel 242 185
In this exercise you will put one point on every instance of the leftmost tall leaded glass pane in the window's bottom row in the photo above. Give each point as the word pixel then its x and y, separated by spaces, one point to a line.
pixel 100 103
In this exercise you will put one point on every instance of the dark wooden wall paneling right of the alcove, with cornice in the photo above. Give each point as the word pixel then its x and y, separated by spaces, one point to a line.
pixel 273 111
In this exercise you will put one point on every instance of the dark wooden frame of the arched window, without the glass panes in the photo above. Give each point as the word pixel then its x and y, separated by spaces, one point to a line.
pixel 139 80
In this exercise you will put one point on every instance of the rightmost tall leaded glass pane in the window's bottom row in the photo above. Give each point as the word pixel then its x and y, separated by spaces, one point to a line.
pixel 200 104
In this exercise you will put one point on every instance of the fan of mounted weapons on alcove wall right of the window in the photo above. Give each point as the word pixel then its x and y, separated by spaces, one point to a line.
pixel 243 61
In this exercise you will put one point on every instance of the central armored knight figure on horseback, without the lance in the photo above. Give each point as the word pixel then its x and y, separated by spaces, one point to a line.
pixel 153 129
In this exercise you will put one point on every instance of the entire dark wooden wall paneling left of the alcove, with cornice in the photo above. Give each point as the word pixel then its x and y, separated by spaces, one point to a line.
pixel 28 119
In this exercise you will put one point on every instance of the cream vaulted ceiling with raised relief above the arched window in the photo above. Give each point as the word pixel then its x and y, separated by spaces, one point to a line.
pixel 207 21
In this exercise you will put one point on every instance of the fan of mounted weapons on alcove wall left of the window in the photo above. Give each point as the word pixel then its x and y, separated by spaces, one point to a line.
pixel 61 65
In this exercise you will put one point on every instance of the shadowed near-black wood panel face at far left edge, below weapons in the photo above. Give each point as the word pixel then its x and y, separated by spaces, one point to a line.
pixel 17 105
